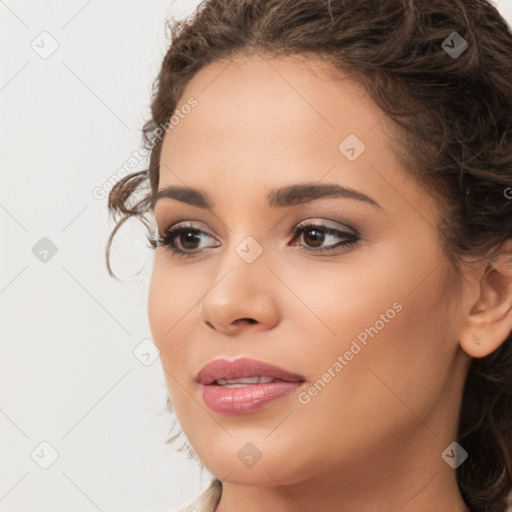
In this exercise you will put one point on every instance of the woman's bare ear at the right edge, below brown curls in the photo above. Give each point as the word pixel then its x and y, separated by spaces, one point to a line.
pixel 489 321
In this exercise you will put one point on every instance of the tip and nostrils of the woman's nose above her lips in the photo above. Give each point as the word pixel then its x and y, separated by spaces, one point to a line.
pixel 241 298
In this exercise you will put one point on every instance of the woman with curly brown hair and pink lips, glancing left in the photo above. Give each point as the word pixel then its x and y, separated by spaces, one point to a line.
pixel 331 295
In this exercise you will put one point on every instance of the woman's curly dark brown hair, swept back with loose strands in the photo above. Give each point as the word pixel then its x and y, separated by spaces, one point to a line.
pixel 453 119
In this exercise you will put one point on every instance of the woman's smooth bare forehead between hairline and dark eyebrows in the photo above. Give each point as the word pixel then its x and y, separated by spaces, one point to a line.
pixel 263 121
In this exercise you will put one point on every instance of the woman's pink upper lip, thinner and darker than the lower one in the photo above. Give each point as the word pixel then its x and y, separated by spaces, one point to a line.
pixel 243 367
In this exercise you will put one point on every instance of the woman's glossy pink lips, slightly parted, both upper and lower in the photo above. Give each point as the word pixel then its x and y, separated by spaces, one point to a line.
pixel 251 397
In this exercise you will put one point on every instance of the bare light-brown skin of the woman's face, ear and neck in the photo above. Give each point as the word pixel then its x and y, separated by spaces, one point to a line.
pixel 372 439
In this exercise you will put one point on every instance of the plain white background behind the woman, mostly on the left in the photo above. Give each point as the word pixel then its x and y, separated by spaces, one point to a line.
pixel 68 374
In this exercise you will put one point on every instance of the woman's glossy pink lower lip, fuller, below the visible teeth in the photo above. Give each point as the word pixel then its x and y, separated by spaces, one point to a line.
pixel 248 399
